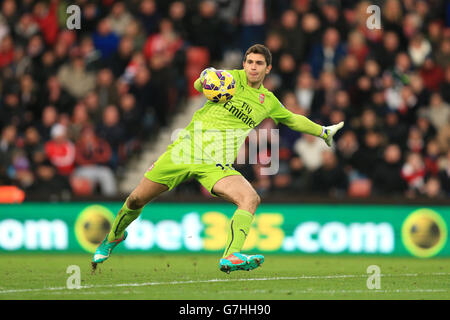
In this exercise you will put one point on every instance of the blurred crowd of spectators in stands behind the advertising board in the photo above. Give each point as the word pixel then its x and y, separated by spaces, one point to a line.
pixel 76 104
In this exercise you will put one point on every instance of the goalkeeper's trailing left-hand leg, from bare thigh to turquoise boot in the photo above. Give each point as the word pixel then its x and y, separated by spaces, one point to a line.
pixel 145 192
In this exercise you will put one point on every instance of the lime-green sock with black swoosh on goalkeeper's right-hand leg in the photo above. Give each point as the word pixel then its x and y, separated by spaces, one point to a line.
pixel 238 231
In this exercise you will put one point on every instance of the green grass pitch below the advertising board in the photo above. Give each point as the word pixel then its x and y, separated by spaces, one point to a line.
pixel 197 277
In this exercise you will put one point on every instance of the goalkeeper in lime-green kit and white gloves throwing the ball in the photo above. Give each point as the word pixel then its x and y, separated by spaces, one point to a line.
pixel 211 165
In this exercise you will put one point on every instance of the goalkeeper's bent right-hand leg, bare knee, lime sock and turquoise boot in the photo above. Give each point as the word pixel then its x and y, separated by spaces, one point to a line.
pixel 238 190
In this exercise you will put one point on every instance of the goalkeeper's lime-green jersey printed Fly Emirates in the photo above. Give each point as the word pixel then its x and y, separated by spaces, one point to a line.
pixel 218 130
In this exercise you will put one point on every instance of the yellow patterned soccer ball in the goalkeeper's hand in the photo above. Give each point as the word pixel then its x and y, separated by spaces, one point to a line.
pixel 218 85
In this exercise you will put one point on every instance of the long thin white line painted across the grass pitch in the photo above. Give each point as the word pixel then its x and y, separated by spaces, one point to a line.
pixel 144 284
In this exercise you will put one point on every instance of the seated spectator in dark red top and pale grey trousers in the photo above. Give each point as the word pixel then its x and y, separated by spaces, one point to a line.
pixel 92 156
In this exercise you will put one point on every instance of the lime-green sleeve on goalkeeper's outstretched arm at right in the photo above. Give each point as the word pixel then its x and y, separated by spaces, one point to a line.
pixel 297 122
